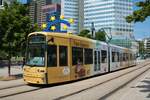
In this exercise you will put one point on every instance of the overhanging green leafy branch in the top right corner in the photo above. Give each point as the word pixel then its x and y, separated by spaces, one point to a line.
pixel 142 13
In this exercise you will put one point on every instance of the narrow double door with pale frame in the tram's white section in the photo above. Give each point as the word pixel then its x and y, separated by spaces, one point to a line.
pixel 96 60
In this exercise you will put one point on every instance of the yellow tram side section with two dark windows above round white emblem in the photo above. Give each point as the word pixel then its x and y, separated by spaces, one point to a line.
pixel 57 64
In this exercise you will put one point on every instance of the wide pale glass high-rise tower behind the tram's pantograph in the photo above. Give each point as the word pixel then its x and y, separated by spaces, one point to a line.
pixel 109 14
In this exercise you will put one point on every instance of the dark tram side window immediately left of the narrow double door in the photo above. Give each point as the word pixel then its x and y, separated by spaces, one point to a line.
pixel 88 56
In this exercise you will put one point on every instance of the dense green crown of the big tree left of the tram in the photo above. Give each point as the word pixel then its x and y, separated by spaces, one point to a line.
pixel 15 25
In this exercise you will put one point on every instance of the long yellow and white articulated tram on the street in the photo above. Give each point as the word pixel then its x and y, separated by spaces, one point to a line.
pixel 58 57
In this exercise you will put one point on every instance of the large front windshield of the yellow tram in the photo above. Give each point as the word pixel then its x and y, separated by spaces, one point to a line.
pixel 35 54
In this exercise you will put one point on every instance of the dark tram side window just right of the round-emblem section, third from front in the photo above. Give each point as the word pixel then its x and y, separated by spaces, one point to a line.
pixel 77 55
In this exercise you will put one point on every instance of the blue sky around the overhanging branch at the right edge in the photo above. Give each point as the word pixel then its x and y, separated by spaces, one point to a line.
pixel 141 29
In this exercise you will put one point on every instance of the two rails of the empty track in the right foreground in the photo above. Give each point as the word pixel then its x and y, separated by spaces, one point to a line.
pixel 104 82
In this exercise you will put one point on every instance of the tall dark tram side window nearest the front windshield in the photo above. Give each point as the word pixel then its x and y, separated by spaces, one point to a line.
pixel 52 56
